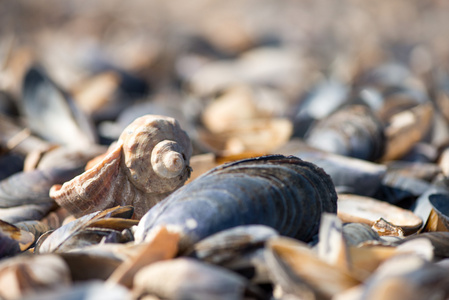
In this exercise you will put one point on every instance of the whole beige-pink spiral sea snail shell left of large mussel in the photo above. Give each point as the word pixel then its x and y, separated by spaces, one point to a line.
pixel 149 161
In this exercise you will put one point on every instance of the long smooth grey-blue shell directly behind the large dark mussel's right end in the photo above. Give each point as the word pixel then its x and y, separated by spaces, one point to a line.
pixel 348 174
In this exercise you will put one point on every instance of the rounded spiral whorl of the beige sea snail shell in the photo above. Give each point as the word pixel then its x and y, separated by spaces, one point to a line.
pixel 157 151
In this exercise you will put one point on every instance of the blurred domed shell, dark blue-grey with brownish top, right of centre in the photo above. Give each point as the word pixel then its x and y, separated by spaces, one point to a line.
pixel 352 131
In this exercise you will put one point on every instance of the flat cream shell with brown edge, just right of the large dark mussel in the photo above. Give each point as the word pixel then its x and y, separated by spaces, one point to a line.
pixel 353 208
